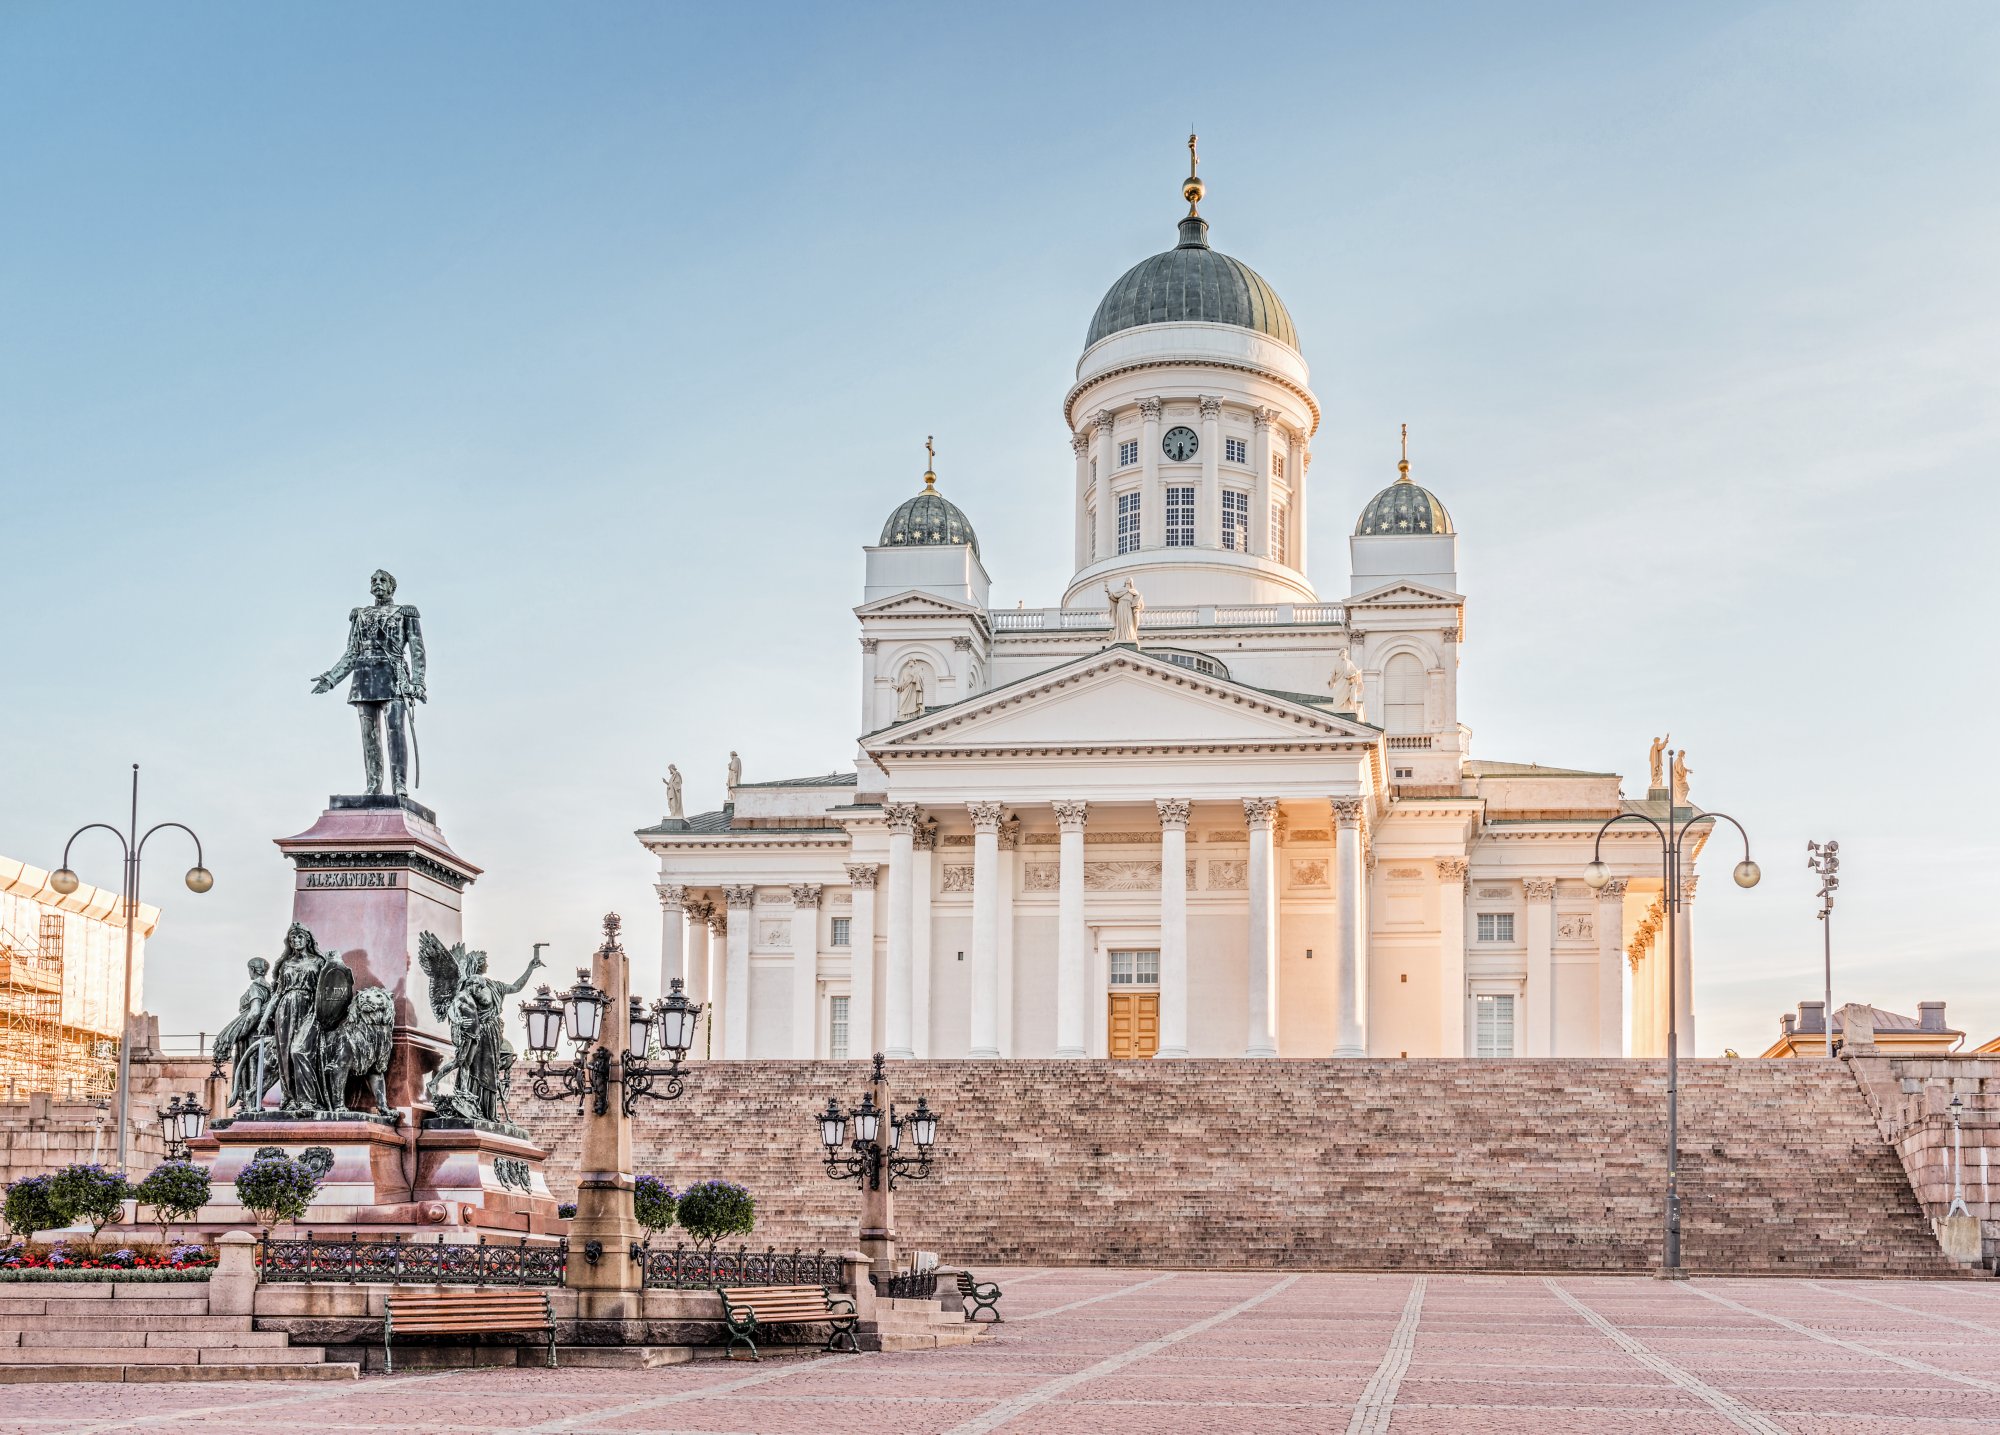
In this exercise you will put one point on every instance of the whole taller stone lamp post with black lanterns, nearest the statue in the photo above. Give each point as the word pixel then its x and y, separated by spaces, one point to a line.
pixel 605 1220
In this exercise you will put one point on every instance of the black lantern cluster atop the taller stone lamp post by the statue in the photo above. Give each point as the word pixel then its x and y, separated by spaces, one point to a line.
pixel 663 1030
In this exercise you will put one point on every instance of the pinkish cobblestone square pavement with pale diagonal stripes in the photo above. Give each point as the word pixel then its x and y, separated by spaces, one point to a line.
pixel 1239 1354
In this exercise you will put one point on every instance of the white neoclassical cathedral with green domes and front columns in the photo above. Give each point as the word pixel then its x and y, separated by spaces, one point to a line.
pixel 1215 816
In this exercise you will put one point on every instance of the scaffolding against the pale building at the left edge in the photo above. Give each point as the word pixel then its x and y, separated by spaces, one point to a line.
pixel 39 1052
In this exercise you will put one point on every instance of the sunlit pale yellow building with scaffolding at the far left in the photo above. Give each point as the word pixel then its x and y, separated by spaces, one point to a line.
pixel 61 984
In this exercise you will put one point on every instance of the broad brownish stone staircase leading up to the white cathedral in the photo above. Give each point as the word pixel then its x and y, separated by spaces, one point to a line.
pixel 1491 1166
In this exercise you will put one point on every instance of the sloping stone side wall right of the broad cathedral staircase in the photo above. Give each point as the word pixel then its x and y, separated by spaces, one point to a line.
pixel 1911 1100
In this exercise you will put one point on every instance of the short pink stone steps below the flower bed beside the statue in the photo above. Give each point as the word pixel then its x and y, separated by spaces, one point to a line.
pixel 141 1332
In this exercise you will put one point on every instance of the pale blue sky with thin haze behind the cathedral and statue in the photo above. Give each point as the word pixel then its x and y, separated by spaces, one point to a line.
pixel 615 333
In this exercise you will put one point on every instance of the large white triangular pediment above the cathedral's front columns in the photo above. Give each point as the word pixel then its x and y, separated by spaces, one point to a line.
pixel 1121 701
